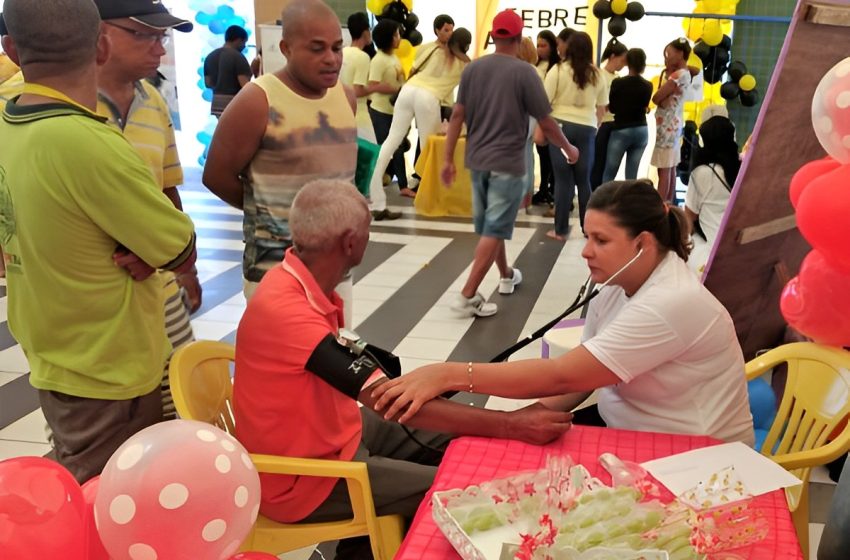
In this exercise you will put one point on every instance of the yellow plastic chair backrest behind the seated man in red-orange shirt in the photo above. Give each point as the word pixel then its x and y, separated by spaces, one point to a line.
pixel 201 383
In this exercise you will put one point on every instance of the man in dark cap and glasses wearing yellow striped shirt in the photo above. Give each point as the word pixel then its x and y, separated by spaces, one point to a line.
pixel 138 31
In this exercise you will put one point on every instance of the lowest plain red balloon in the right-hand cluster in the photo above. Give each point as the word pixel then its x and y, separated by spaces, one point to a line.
pixel 817 301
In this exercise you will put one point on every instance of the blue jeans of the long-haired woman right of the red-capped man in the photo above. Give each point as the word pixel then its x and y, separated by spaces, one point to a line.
pixel 568 176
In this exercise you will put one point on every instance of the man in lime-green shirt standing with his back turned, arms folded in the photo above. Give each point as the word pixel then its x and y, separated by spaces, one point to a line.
pixel 84 225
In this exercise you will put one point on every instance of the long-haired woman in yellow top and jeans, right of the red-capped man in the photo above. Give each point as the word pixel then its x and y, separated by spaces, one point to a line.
pixel 579 96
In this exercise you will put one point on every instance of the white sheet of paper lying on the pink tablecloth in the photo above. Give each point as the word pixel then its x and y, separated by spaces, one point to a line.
pixel 682 472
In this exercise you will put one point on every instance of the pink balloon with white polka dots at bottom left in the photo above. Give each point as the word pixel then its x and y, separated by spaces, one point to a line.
pixel 177 490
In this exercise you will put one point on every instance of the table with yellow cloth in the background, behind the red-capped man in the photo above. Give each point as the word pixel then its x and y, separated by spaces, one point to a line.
pixel 432 197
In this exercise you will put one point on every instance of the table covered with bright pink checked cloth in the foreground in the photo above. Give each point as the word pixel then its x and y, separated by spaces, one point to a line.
pixel 473 460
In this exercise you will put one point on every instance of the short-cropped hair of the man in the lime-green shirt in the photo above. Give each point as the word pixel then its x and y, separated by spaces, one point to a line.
pixel 53 32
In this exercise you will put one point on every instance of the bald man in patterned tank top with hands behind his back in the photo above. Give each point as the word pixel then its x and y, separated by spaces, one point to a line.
pixel 284 130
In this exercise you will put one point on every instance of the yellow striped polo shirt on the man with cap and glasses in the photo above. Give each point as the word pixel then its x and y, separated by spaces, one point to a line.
pixel 149 129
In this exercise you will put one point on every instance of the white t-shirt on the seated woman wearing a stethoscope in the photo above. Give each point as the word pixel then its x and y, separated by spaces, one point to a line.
pixel 674 347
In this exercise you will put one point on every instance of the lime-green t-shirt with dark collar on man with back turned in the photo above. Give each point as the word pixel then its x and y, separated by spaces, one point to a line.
pixel 72 190
